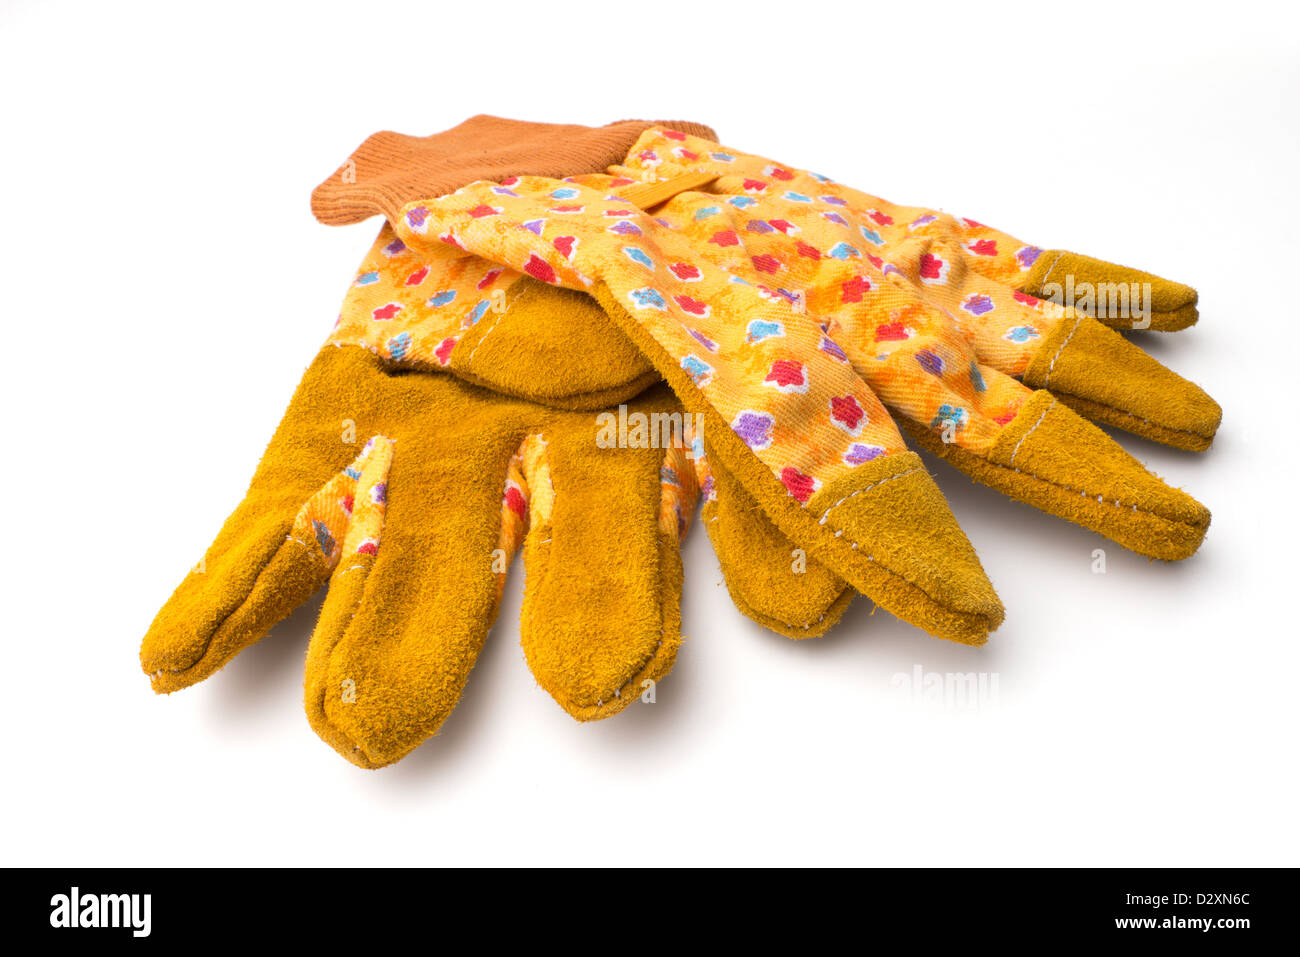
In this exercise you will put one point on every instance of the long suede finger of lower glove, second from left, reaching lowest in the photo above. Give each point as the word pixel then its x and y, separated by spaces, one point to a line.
pixel 404 622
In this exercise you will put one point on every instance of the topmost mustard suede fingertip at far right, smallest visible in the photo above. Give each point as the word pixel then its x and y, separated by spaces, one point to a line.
pixel 1068 278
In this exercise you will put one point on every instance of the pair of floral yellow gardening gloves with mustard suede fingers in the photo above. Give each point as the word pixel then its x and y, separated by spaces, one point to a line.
pixel 564 337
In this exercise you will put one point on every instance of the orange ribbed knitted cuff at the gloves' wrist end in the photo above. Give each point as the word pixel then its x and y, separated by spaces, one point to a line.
pixel 391 170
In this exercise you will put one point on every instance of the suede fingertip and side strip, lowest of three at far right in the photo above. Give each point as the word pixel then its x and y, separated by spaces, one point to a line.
pixel 1052 458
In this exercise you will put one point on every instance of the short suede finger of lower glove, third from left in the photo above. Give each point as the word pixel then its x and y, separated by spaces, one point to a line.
pixel 603 595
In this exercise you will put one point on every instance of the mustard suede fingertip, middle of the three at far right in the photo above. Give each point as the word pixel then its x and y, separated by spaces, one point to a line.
pixel 1108 379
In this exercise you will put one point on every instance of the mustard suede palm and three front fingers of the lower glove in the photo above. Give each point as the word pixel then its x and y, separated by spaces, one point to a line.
pixel 401 630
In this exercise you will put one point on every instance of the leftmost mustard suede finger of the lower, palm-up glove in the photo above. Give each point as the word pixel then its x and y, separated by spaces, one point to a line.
pixel 279 545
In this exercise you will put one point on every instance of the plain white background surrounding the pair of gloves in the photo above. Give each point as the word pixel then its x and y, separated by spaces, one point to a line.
pixel 164 285
